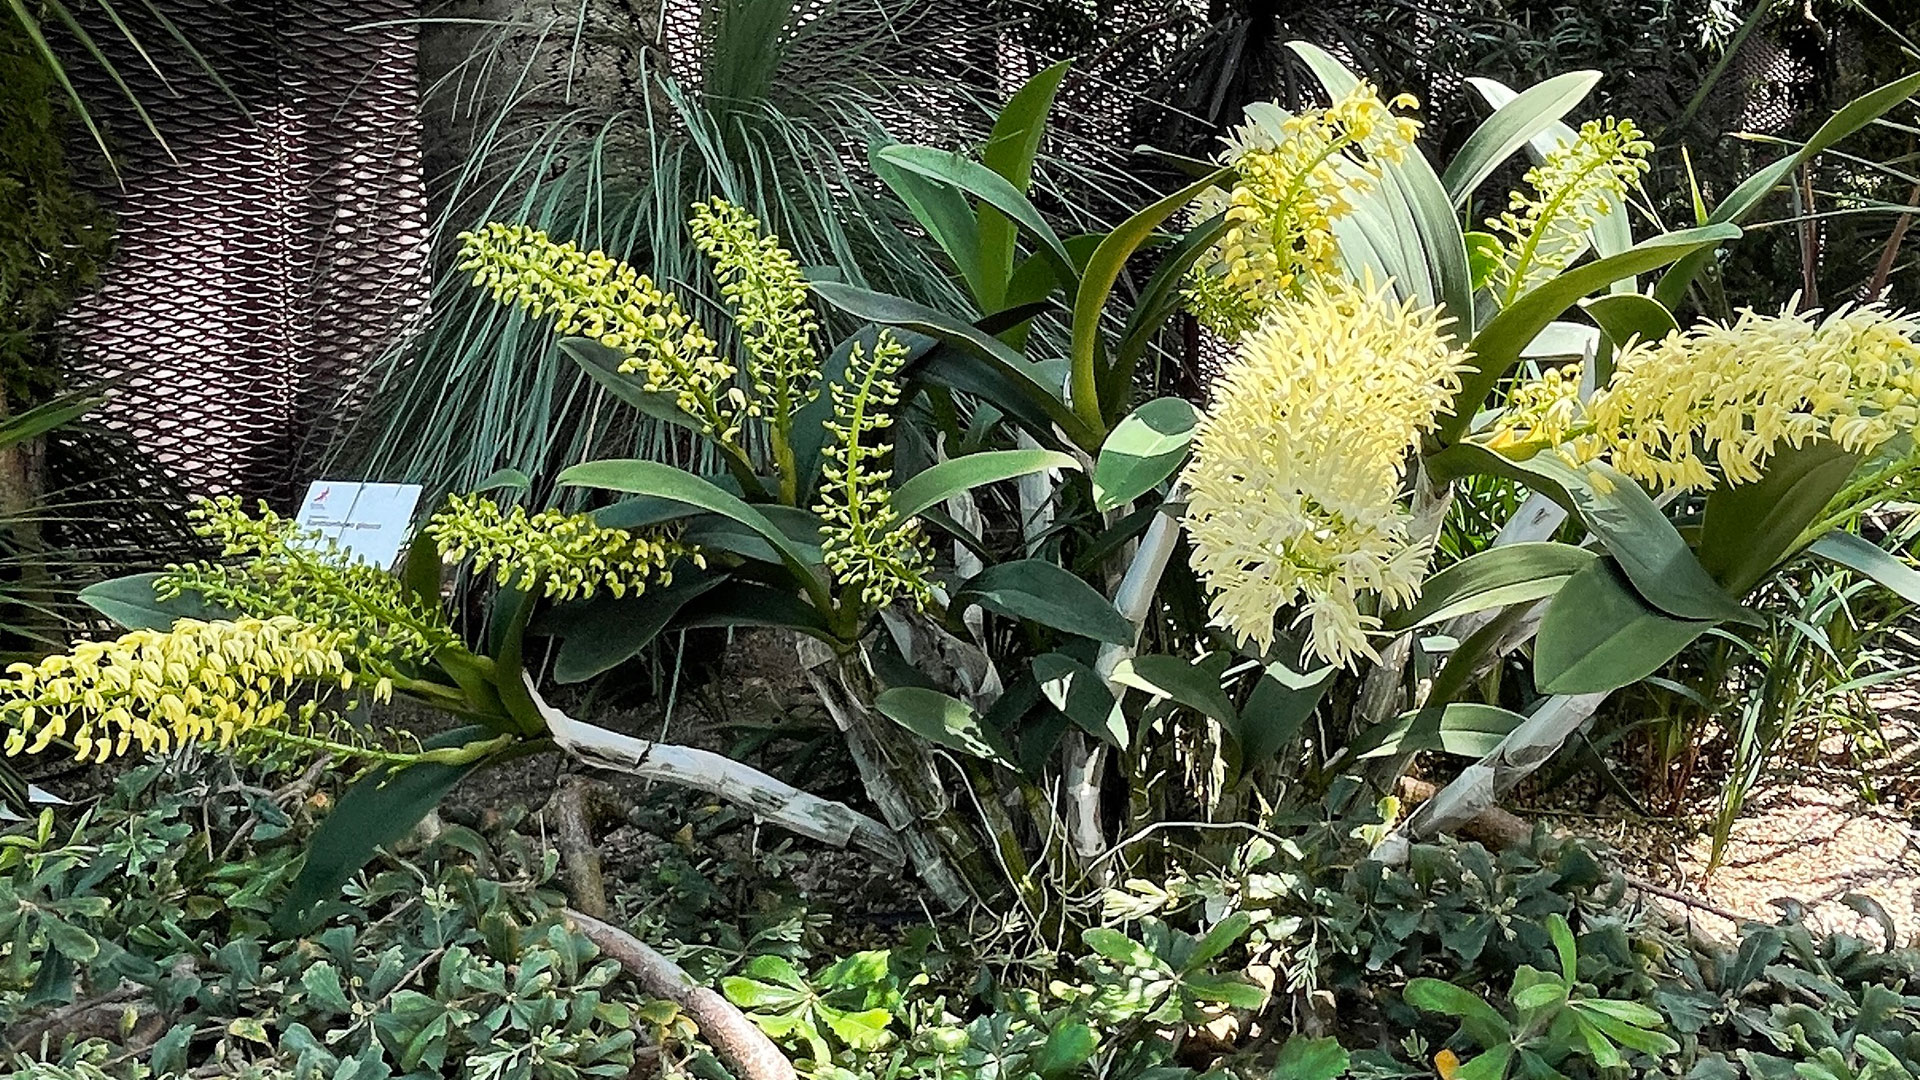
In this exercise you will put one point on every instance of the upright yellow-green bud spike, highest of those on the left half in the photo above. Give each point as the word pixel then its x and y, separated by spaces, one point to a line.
pixel 765 289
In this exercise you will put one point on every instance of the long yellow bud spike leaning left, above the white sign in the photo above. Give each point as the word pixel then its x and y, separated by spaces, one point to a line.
pixel 596 297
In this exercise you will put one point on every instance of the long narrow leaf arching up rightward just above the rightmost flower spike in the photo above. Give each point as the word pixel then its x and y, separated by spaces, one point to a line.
pixel 1500 343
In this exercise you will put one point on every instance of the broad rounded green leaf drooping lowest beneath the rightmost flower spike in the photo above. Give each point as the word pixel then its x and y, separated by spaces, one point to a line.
pixel 1600 635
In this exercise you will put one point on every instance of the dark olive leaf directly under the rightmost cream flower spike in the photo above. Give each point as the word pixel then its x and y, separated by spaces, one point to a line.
pixel 1750 529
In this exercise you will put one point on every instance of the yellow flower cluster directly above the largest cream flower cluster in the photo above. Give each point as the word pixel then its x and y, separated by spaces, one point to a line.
pixel 1297 176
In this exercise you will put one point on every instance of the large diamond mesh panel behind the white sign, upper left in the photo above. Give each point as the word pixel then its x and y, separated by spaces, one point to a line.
pixel 279 247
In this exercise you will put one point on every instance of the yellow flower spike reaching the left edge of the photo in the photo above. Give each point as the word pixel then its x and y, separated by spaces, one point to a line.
pixel 156 689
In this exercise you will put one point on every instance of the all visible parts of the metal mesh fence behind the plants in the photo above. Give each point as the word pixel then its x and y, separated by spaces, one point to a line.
pixel 285 243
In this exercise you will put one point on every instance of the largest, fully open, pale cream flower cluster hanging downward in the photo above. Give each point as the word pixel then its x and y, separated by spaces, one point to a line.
pixel 1299 466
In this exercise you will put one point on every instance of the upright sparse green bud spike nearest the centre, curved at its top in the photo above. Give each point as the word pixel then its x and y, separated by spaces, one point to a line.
pixel 867 547
